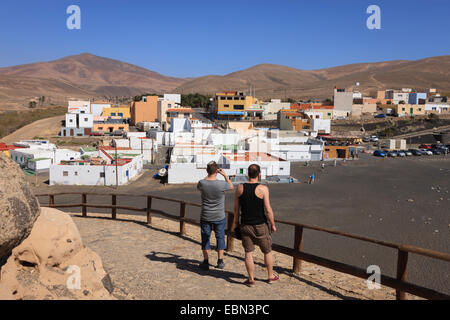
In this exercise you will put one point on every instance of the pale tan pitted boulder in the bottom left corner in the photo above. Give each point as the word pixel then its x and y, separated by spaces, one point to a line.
pixel 42 266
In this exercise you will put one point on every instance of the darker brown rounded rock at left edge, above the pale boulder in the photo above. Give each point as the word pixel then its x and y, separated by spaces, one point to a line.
pixel 19 208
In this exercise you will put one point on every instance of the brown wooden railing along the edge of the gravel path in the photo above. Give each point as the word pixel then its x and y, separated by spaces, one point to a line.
pixel 399 283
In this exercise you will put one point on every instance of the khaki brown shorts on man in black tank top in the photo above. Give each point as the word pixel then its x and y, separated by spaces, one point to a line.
pixel 257 234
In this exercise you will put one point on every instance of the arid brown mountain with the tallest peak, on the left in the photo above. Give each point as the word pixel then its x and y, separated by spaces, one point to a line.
pixel 80 76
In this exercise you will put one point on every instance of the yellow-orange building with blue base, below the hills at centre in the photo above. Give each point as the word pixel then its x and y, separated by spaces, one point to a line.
pixel 232 104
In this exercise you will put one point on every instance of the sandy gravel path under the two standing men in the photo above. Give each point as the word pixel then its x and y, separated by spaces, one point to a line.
pixel 155 262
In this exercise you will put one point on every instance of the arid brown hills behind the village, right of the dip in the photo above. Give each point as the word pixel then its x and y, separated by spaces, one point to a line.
pixel 275 81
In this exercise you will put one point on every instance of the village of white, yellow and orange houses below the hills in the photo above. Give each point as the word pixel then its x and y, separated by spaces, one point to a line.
pixel 161 131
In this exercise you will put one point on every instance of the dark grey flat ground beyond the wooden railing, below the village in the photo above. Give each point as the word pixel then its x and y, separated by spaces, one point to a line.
pixel 403 200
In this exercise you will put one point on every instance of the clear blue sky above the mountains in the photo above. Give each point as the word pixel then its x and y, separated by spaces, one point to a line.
pixel 197 37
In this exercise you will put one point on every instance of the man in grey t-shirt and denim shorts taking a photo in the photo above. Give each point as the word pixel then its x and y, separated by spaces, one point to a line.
pixel 213 212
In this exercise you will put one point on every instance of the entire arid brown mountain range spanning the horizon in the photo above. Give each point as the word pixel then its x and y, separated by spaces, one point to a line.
pixel 88 76
